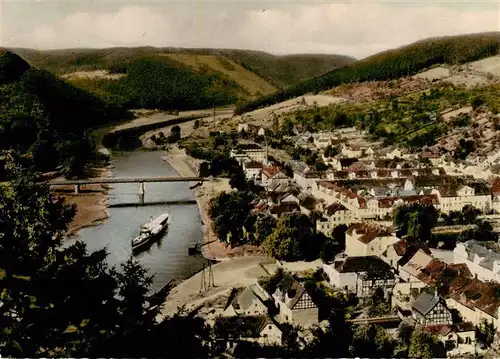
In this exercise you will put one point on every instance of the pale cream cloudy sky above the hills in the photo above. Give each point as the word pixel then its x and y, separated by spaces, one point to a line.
pixel 354 28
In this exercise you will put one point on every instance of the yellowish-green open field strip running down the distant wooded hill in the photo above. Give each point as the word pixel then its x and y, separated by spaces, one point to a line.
pixel 249 81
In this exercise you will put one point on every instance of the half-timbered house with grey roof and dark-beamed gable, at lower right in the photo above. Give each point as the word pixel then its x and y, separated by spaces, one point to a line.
pixel 430 309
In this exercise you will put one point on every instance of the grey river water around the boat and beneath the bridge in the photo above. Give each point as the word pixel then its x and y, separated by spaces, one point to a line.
pixel 168 258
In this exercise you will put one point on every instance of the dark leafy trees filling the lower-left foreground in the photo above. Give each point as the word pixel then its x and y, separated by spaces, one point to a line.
pixel 65 301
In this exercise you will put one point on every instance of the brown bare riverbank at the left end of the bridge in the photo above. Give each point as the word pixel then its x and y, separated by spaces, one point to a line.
pixel 91 203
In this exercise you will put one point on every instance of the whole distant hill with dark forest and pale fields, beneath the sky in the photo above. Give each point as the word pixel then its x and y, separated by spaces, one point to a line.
pixel 182 78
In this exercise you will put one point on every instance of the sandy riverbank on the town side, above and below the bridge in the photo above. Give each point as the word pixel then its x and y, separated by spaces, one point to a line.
pixel 214 249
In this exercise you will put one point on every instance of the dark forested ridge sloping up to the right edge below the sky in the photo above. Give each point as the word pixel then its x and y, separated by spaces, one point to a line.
pixel 403 61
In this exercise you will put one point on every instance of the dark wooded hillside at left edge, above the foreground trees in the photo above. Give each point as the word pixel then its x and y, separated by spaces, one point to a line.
pixel 46 118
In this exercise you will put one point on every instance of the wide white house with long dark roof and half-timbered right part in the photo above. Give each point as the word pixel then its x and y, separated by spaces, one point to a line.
pixel 360 275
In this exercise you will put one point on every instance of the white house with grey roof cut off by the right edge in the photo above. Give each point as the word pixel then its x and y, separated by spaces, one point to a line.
pixel 481 261
